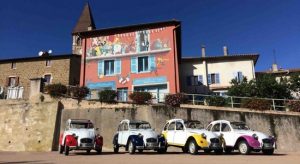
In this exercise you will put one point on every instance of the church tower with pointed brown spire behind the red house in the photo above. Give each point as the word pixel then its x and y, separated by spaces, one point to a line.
pixel 84 23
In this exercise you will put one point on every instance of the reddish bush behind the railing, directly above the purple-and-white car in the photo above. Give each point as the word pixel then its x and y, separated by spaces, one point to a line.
pixel 257 104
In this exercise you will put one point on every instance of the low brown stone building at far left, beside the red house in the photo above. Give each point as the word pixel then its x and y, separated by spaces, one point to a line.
pixel 16 74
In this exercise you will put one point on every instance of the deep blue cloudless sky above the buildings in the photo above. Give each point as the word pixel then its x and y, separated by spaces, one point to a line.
pixel 245 26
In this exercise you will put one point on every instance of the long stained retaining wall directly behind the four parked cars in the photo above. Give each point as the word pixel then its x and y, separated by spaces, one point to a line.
pixel 285 126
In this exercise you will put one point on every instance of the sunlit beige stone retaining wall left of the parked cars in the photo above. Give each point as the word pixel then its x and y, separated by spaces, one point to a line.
pixel 27 126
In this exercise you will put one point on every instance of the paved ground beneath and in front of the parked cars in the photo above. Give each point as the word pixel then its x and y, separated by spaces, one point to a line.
pixel 172 157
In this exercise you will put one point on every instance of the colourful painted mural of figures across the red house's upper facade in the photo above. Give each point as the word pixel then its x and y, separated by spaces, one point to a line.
pixel 127 43
